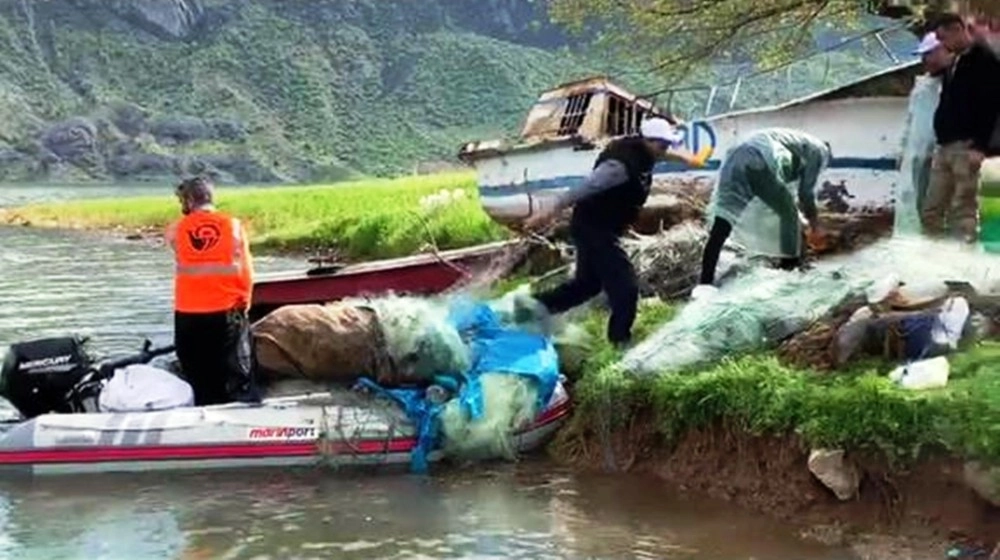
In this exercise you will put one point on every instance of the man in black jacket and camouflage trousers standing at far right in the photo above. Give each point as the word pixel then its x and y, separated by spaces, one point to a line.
pixel 963 125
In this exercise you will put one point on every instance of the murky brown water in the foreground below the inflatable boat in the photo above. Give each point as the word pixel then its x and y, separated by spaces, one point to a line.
pixel 511 512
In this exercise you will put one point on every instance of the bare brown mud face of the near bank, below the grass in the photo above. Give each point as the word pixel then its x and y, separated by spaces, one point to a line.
pixel 918 511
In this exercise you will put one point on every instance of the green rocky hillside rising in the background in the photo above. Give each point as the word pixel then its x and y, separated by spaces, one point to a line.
pixel 262 91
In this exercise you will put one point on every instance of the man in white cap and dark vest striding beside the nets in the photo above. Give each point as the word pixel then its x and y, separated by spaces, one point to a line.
pixel 604 207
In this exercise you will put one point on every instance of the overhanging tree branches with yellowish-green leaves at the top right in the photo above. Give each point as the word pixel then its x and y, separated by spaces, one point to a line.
pixel 672 37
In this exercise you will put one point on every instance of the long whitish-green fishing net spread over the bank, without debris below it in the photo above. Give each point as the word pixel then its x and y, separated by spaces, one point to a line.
pixel 761 307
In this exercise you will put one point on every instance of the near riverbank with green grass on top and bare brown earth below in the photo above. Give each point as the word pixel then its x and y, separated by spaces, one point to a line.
pixel 743 429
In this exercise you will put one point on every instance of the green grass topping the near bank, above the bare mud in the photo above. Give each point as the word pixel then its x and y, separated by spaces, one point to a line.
pixel 858 409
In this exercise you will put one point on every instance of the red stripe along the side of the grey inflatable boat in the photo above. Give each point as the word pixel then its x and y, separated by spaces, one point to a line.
pixel 230 451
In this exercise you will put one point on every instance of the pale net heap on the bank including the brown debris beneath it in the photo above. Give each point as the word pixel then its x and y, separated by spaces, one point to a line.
pixel 888 299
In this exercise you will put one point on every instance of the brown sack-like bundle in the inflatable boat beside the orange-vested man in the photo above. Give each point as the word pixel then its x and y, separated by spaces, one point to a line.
pixel 319 342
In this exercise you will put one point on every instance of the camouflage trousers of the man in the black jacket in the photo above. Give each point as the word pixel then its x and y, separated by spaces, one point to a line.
pixel 951 204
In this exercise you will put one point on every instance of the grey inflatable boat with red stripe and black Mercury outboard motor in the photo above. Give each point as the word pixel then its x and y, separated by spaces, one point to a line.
pixel 335 429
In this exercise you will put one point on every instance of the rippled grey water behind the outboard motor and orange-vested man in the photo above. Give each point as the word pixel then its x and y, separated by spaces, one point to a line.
pixel 117 291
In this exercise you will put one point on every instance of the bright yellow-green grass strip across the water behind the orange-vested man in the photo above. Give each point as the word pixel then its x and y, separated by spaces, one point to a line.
pixel 362 219
